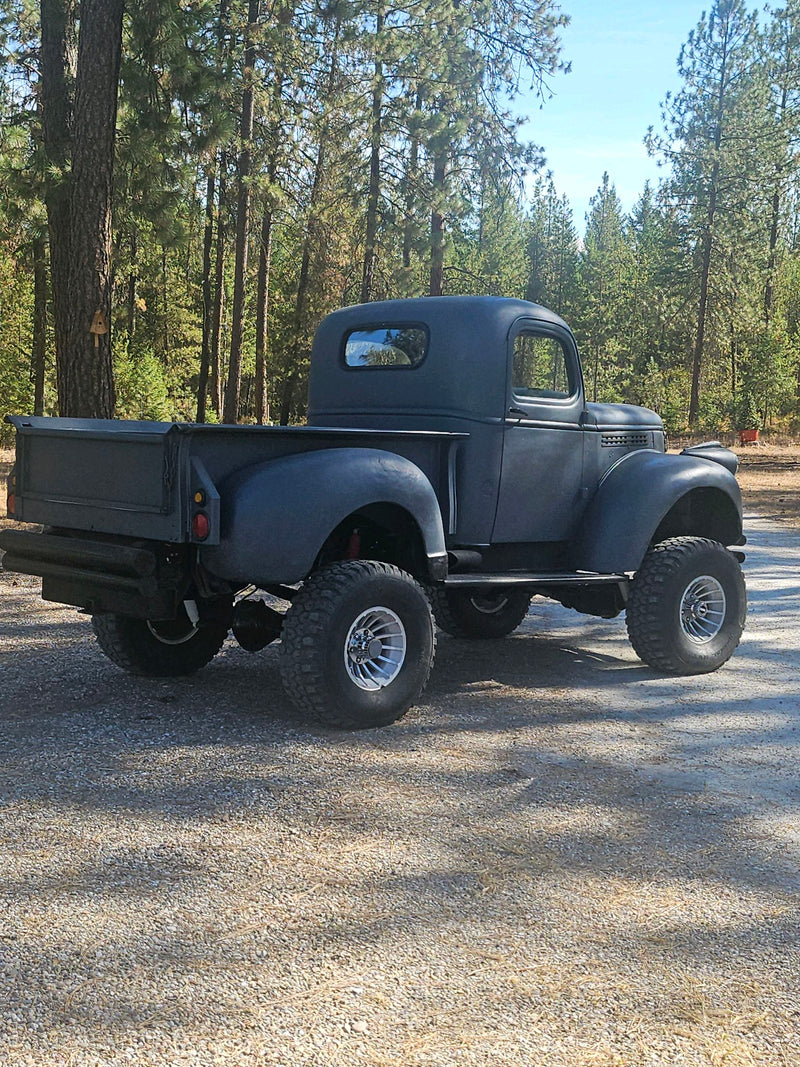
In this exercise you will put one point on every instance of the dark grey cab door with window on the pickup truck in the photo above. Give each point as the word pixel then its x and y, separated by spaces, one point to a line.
pixel 541 477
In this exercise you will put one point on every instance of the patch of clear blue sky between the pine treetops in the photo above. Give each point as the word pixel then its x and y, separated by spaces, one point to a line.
pixel 625 59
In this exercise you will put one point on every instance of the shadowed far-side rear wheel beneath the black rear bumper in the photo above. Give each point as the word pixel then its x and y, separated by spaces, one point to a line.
pixel 159 649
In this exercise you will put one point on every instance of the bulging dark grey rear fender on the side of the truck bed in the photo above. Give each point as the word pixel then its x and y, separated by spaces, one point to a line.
pixel 277 516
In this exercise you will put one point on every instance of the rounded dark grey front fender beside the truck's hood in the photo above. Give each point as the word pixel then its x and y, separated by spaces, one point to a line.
pixel 638 493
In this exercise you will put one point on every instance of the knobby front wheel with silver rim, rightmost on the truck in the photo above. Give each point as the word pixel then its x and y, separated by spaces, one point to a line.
pixel 687 607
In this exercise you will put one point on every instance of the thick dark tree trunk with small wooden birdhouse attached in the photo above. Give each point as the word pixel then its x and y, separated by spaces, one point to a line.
pixel 86 372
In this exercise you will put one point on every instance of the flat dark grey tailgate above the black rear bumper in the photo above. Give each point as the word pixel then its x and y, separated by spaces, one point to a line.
pixel 103 475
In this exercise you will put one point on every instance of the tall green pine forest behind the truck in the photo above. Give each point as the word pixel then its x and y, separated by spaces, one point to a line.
pixel 188 186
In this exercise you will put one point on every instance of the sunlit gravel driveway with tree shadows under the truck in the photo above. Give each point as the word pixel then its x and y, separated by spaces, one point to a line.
pixel 561 859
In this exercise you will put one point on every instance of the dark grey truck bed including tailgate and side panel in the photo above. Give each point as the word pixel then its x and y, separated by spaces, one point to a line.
pixel 135 480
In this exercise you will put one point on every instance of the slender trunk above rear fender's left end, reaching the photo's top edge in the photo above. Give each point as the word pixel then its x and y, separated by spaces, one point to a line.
pixel 233 388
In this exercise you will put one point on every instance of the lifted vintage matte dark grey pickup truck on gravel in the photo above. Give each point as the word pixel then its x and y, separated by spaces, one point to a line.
pixel 452 469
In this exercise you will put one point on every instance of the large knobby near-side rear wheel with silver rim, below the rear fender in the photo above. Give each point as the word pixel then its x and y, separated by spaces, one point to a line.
pixel 358 645
